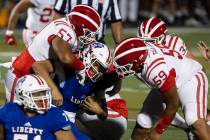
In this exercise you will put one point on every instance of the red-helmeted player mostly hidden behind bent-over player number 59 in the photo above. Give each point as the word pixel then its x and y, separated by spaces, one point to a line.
pixel 154 30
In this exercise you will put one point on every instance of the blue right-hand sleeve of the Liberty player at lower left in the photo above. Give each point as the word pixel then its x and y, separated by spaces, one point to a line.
pixel 59 120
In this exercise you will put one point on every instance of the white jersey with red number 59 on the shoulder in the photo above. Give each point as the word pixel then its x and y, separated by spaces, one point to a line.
pixel 159 64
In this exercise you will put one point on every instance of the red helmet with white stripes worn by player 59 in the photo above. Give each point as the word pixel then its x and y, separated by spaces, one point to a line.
pixel 129 56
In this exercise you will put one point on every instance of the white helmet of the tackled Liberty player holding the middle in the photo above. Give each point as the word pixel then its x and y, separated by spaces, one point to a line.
pixel 97 58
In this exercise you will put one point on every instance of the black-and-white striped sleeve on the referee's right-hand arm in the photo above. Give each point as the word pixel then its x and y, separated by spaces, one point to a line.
pixel 114 12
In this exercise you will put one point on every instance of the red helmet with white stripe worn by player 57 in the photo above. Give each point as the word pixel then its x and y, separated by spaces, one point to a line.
pixel 86 21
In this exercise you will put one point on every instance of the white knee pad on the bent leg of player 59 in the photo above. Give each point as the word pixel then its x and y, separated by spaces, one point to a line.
pixel 144 120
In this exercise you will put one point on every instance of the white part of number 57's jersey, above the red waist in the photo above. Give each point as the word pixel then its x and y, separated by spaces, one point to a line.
pixel 39 49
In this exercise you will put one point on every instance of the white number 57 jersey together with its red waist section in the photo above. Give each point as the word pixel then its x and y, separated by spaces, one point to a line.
pixel 39 48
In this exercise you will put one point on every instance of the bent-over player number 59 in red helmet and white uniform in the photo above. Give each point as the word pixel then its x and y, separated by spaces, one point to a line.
pixel 177 78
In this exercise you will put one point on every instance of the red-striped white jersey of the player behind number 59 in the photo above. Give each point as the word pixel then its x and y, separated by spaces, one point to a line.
pixel 173 42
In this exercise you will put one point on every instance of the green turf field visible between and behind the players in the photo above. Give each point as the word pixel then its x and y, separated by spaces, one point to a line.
pixel 133 91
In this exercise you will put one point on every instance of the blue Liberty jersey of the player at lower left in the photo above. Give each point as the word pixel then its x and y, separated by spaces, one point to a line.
pixel 18 126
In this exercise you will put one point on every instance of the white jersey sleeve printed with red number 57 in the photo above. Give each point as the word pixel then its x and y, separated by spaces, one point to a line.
pixel 64 31
